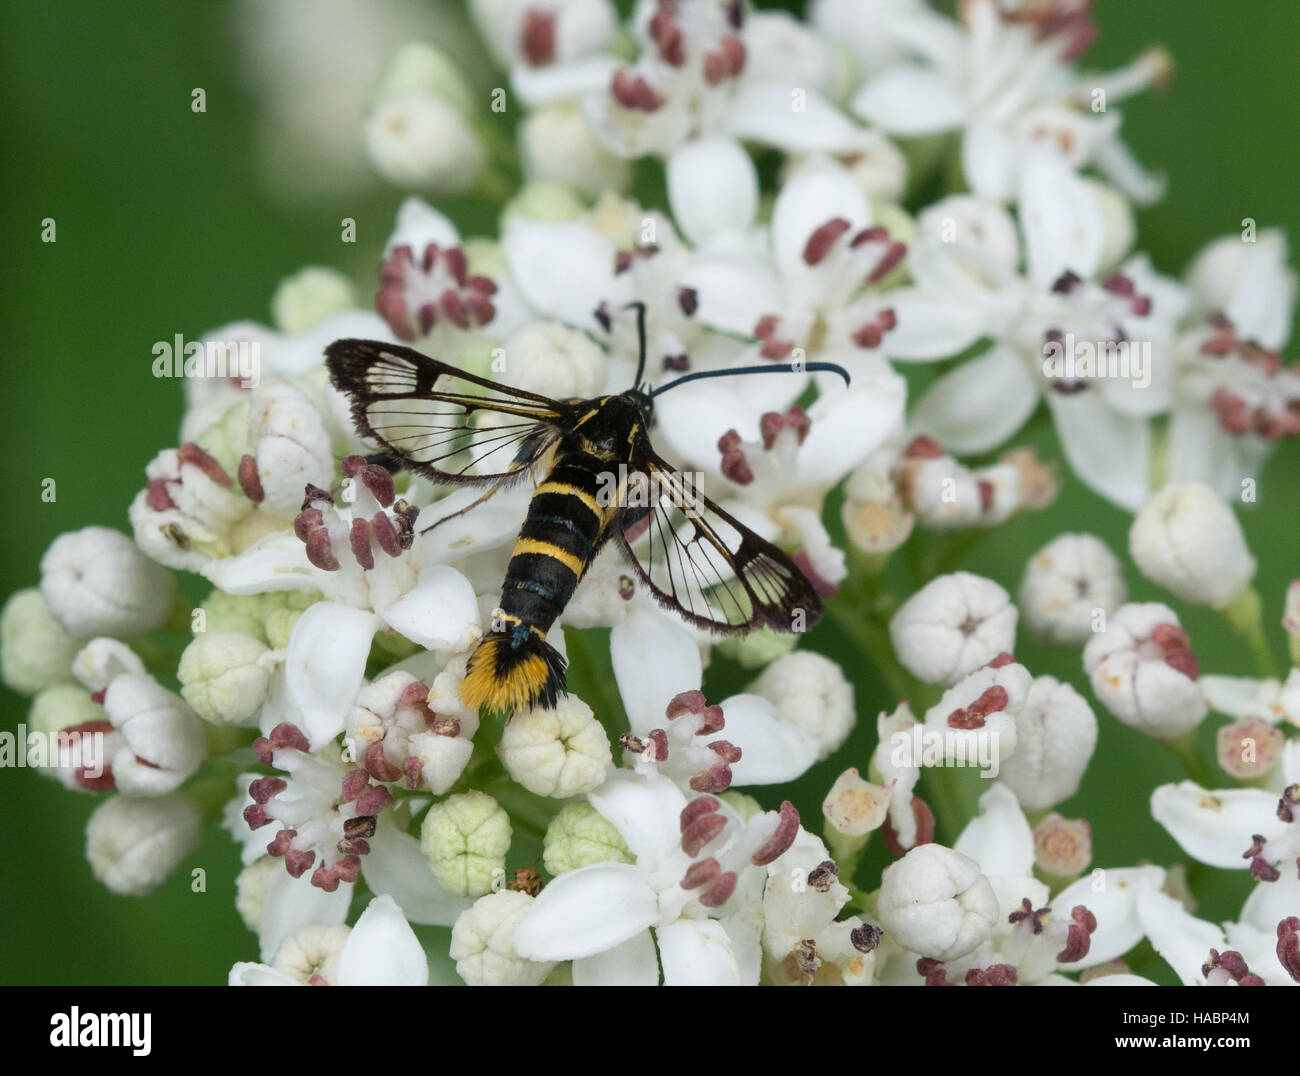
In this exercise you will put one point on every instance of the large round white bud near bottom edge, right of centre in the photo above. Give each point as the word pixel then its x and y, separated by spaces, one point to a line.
pixel 937 903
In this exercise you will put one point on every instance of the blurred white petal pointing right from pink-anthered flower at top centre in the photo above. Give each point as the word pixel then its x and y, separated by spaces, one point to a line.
pixel 796 120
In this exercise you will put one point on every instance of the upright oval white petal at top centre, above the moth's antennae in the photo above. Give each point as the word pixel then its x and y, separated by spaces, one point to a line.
pixel 713 189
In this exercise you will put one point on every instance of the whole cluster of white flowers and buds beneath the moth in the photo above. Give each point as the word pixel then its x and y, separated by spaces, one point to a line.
pixel 346 595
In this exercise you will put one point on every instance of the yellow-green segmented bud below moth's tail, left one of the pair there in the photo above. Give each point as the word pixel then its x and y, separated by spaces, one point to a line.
pixel 466 840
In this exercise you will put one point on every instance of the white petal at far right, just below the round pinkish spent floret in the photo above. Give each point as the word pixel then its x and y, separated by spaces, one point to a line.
pixel 1216 827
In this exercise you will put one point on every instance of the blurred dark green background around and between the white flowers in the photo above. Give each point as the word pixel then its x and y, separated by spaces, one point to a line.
pixel 166 225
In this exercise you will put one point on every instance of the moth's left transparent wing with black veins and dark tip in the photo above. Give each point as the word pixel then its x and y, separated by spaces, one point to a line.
pixel 417 409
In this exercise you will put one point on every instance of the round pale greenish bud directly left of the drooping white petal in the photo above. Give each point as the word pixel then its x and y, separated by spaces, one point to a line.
pixel 226 678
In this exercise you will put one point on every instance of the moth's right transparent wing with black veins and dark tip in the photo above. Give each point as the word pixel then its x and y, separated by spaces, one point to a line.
pixel 704 563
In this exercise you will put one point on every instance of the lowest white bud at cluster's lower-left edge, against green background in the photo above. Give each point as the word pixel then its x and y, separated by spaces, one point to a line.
pixel 133 845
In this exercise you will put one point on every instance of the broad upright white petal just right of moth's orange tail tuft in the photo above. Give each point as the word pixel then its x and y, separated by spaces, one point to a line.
pixel 655 660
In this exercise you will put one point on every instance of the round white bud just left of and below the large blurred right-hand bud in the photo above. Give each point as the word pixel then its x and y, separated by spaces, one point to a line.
pixel 1065 584
